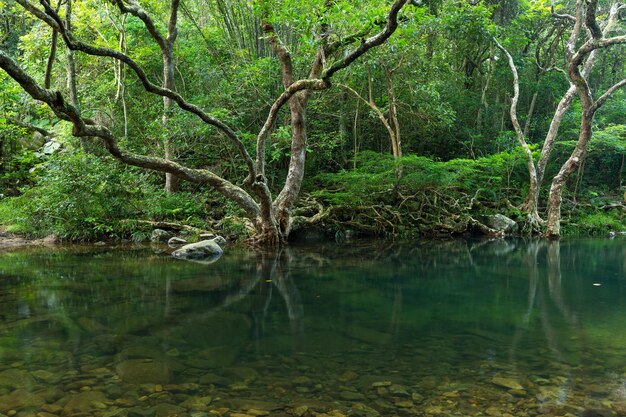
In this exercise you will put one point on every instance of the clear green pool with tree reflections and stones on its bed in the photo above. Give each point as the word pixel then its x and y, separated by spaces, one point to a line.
pixel 458 328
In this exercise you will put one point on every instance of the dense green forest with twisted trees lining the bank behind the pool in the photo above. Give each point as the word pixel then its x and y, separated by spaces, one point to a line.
pixel 269 120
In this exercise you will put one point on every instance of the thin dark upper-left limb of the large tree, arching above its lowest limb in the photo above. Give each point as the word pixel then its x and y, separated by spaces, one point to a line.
pixel 53 20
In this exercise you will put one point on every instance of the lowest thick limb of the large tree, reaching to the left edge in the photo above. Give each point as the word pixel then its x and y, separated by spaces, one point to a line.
pixel 85 128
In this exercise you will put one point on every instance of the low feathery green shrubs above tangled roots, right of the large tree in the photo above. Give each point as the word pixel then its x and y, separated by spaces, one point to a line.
pixel 492 178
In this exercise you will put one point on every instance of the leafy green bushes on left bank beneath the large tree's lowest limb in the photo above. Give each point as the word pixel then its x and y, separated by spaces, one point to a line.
pixel 85 197
